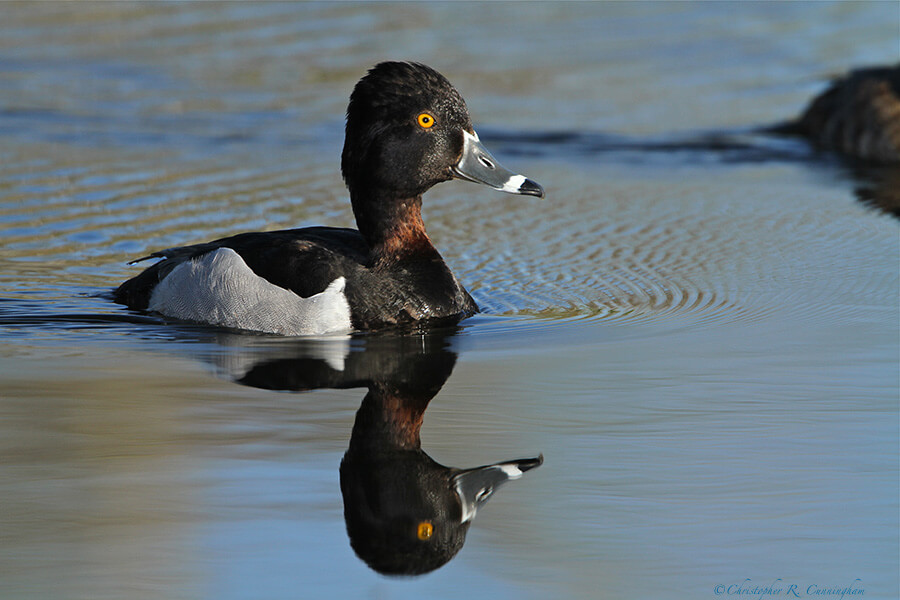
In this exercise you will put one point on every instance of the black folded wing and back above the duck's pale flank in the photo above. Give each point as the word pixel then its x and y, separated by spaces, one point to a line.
pixel 304 261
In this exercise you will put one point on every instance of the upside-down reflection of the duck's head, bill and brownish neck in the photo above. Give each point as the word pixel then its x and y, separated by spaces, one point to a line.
pixel 406 514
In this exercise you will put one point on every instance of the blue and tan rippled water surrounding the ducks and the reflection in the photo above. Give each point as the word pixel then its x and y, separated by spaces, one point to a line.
pixel 698 327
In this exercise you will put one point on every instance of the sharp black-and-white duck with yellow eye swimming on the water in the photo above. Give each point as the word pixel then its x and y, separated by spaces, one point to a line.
pixel 407 129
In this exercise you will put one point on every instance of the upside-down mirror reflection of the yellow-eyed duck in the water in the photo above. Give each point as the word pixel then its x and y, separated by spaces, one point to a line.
pixel 405 513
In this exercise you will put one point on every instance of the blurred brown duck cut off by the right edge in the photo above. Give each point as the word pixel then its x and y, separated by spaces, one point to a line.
pixel 858 115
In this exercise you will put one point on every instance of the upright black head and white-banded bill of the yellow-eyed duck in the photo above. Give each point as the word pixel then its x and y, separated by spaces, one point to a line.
pixel 409 129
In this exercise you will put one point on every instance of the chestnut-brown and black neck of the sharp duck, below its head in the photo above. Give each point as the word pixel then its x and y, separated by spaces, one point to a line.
pixel 392 227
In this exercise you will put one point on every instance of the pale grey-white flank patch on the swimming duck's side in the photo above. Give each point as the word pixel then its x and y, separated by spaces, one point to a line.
pixel 220 289
